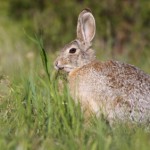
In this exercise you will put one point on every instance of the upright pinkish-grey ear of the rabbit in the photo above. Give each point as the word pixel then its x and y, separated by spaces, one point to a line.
pixel 86 26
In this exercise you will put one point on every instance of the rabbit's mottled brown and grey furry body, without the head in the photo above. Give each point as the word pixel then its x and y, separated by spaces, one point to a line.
pixel 118 90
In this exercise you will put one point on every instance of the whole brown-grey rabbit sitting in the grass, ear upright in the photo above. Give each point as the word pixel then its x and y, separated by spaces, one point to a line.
pixel 118 91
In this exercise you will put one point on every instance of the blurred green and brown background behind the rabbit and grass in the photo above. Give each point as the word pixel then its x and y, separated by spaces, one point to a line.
pixel 122 29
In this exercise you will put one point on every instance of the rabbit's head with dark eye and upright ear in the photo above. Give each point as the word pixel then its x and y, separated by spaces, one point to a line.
pixel 79 52
